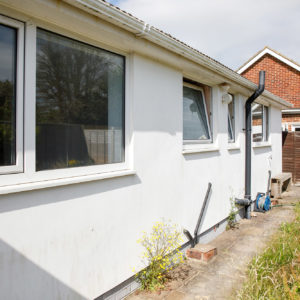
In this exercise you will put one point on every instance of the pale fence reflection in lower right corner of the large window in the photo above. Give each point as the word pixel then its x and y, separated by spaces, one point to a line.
pixel 104 145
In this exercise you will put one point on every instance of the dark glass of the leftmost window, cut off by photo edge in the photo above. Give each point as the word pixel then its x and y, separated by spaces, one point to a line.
pixel 8 48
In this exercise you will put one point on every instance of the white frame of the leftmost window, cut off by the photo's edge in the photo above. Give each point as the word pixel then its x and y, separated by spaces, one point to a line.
pixel 19 26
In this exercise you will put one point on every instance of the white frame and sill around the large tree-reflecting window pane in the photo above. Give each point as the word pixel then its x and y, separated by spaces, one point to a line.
pixel 30 179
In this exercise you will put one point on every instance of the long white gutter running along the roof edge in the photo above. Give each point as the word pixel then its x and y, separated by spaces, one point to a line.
pixel 139 28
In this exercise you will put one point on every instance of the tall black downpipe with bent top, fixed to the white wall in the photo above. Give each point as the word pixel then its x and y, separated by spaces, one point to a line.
pixel 248 123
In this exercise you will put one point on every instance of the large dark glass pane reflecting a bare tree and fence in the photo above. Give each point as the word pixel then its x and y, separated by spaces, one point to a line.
pixel 79 104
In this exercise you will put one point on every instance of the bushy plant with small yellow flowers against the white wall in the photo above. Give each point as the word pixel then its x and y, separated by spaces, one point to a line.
pixel 160 256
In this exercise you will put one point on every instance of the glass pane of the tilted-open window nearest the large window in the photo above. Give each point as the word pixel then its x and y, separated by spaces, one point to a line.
pixel 195 125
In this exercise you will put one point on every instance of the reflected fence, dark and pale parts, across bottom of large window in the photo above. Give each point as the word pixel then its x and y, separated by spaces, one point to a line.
pixel 71 145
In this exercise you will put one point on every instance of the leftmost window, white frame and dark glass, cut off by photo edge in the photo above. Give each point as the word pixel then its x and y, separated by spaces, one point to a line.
pixel 11 91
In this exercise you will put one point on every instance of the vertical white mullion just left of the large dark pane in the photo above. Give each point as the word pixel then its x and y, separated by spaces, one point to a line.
pixel 29 109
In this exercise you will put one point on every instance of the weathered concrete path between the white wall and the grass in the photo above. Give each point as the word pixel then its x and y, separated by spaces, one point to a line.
pixel 219 278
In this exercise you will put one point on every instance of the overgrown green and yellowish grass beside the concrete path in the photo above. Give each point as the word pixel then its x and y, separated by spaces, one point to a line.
pixel 275 274
